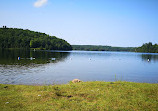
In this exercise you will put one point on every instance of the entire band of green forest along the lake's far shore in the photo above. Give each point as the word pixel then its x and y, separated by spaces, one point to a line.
pixel 14 38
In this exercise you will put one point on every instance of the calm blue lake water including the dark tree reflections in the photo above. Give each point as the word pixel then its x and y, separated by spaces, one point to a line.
pixel 52 67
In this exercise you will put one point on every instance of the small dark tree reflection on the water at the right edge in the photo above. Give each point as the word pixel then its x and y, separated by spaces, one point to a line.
pixel 151 57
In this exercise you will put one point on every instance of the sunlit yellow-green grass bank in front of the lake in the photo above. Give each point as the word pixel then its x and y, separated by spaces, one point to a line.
pixel 86 96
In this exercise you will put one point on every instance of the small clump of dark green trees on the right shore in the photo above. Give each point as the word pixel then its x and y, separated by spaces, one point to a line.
pixel 148 47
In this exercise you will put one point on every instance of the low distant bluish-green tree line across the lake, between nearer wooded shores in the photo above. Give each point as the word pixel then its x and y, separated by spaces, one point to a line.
pixel 101 48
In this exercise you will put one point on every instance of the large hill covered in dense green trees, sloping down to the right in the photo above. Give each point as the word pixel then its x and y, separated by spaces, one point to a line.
pixel 19 38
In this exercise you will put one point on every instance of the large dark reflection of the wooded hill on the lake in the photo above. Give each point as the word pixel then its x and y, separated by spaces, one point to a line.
pixel 10 57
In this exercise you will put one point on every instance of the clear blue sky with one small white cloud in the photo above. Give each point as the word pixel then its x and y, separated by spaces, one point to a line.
pixel 86 22
